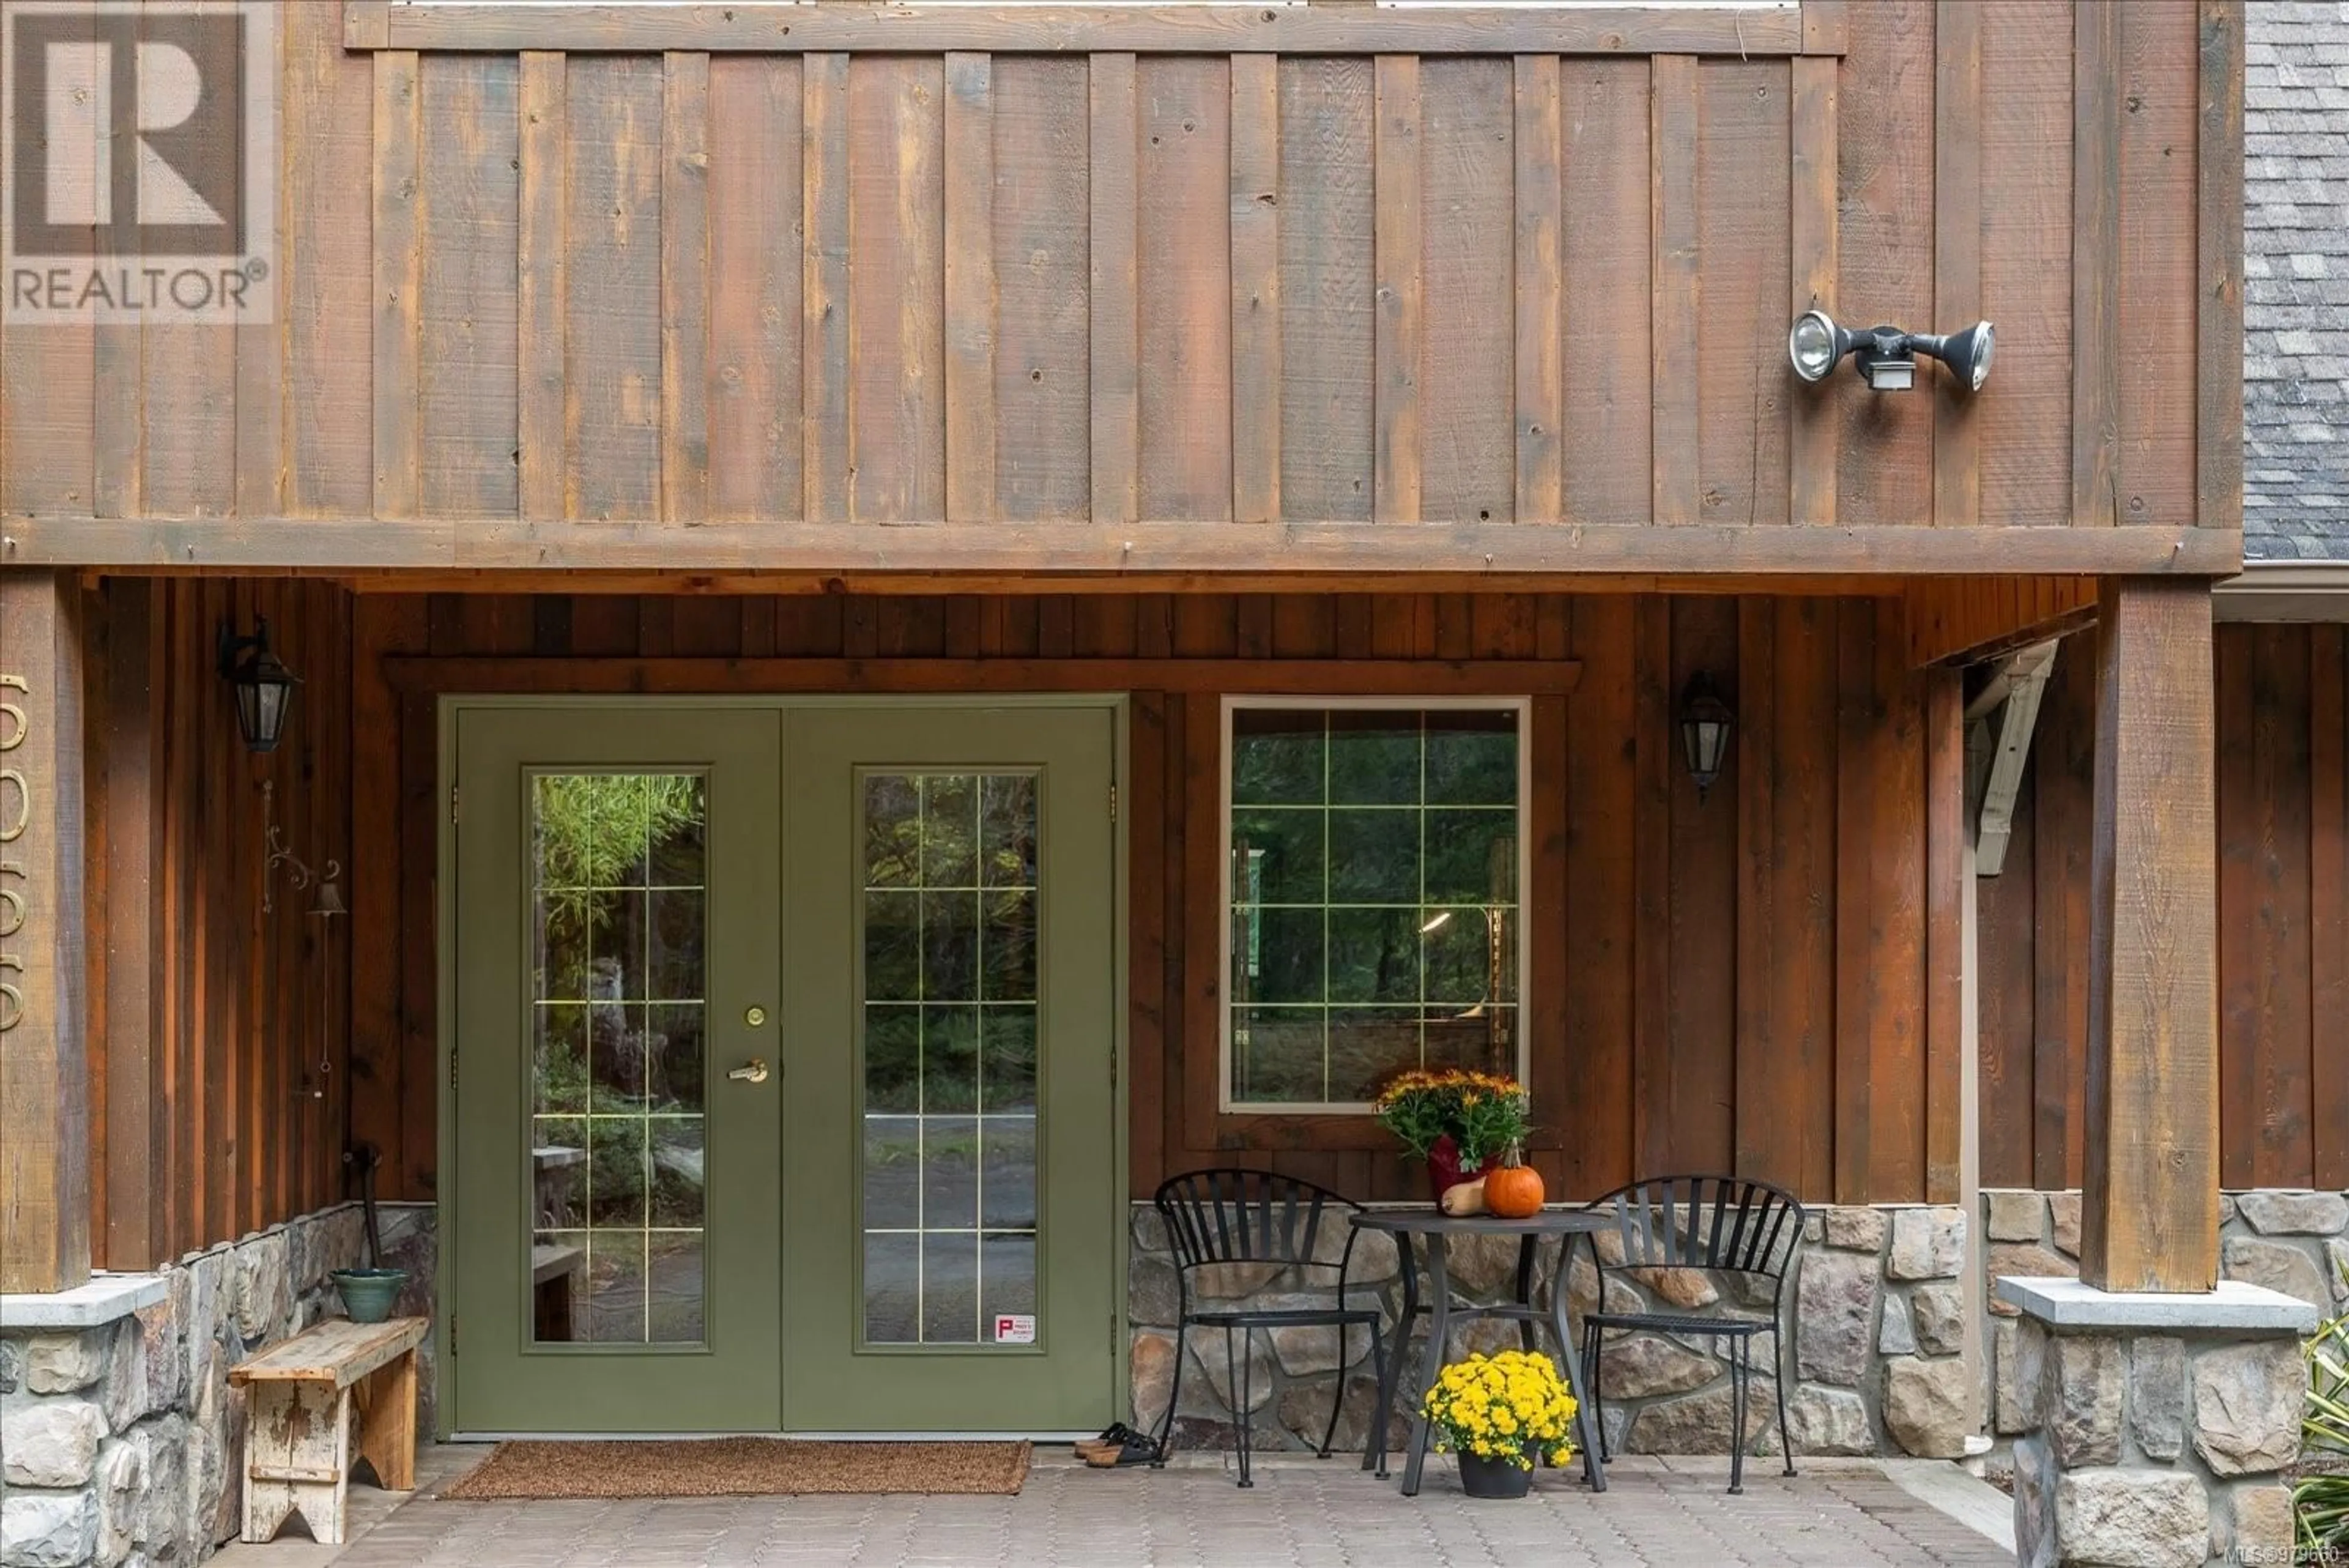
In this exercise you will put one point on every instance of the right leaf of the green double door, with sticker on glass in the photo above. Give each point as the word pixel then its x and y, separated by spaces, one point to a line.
pixel 950 1139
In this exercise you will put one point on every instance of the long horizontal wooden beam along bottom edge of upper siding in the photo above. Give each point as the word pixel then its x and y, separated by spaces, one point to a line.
pixel 1310 551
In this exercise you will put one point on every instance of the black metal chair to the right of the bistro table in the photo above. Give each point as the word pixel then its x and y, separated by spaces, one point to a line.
pixel 1702 1224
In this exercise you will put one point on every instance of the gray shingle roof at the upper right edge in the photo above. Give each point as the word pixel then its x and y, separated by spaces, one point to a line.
pixel 2296 281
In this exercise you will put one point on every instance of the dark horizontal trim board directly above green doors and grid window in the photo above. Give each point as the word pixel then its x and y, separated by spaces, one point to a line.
pixel 1209 676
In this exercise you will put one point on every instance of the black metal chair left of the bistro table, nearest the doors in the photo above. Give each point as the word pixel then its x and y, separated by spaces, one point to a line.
pixel 1232 1217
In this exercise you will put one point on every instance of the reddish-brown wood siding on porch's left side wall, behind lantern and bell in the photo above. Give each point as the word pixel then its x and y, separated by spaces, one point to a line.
pixel 217 1031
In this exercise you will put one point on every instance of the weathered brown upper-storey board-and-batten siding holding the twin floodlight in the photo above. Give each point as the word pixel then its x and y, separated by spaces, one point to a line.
pixel 765 290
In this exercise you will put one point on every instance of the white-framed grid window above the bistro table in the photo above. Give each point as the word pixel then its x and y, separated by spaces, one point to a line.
pixel 1373 899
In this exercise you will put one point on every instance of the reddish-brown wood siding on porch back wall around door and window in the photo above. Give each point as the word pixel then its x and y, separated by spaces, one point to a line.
pixel 1725 984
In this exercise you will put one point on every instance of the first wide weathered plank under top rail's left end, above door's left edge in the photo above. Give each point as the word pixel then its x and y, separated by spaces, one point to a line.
pixel 469 288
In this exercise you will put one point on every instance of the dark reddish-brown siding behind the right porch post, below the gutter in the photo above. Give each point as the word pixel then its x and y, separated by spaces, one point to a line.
pixel 2282 923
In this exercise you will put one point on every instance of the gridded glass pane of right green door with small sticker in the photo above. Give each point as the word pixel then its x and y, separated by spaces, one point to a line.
pixel 948 939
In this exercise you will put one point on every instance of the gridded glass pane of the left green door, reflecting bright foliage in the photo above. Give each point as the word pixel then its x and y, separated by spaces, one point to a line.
pixel 619 1141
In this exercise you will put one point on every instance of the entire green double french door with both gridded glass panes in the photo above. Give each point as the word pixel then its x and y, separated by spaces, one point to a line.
pixel 781 1071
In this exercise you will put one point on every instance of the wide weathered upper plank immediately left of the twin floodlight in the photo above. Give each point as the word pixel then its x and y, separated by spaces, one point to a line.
pixel 1742 213
